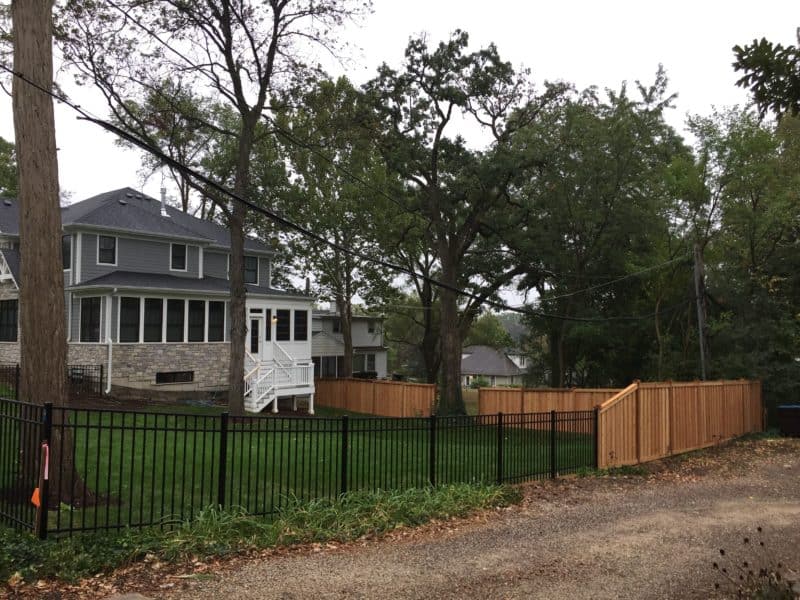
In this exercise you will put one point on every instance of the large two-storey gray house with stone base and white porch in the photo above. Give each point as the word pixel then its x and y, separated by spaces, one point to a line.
pixel 147 295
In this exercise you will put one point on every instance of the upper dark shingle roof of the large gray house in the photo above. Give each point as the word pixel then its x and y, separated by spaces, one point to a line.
pixel 127 209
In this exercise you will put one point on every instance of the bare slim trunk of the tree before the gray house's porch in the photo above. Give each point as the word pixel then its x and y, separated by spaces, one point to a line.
pixel 237 287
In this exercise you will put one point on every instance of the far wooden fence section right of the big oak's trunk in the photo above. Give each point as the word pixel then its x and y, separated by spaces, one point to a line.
pixel 519 400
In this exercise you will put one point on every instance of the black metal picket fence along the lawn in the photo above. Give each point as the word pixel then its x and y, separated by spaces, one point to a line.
pixel 111 469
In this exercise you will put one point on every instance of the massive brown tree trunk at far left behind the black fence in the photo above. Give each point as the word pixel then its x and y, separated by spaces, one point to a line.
pixel 43 339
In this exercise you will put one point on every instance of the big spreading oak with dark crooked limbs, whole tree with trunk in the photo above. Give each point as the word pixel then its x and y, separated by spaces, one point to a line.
pixel 462 194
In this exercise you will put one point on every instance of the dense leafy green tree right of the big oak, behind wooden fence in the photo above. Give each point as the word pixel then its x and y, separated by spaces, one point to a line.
pixel 602 210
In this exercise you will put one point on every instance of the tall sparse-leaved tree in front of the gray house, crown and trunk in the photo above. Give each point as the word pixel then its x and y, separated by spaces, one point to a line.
pixel 238 52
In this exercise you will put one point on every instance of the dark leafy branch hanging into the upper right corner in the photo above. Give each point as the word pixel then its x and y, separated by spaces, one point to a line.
pixel 771 74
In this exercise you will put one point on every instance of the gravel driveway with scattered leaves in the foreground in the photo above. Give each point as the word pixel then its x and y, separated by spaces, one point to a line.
pixel 616 537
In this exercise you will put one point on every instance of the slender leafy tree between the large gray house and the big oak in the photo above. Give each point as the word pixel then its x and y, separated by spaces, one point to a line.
pixel 340 190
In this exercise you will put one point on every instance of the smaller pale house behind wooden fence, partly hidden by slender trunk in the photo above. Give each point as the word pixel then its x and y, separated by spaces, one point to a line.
pixel 327 346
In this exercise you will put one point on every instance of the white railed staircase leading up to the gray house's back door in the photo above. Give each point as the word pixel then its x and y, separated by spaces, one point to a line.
pixel 265 382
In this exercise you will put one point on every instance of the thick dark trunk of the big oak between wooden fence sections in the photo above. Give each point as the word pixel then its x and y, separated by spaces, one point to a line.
pixel 450 400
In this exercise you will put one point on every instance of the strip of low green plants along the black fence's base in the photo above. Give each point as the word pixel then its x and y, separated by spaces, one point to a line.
pixel 217 533
